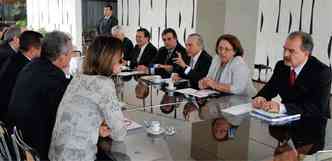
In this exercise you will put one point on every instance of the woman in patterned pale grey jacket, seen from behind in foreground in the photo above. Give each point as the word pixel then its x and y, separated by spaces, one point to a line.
pixel 89 100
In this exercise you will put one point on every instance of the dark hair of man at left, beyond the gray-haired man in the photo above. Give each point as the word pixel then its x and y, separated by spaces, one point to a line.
pixel 30 39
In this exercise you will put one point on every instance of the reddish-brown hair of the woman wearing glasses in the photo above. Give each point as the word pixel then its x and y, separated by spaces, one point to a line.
pixel 234 41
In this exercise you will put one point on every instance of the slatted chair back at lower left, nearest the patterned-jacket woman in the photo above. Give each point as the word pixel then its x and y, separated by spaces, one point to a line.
pixel 23 150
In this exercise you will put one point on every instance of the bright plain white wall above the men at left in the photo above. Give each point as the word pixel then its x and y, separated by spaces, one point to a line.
pixel 63 15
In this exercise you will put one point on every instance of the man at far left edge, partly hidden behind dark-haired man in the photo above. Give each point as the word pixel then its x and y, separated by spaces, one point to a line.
pixel 11 44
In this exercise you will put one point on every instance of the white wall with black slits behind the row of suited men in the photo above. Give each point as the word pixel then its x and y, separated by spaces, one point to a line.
pixel 151 14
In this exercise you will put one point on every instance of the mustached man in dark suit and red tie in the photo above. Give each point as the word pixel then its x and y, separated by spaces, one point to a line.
pixel 304 84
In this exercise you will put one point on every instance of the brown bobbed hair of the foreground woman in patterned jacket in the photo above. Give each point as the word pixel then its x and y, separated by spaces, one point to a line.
pixel 98 60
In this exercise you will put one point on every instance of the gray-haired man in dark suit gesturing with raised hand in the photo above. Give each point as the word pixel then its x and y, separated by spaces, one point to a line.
pixel 200 61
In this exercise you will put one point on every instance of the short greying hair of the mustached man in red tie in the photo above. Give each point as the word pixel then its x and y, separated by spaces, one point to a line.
pixel 307 42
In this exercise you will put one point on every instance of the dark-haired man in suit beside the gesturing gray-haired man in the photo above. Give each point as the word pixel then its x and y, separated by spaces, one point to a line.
pixel 163 63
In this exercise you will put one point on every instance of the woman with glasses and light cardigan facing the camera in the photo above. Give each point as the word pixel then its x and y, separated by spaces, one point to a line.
pixel 228 72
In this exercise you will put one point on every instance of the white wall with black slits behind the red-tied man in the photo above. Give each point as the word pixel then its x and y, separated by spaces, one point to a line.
pixel 270 42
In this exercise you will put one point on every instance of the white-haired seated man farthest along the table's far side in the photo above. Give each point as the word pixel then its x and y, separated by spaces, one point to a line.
pixel 119 32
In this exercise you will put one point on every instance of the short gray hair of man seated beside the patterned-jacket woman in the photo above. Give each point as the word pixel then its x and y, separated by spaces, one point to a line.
pixel 55 44
